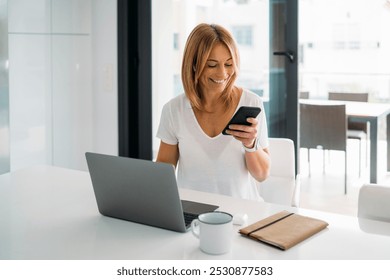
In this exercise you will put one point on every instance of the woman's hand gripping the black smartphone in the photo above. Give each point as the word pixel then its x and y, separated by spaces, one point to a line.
pixel 247 134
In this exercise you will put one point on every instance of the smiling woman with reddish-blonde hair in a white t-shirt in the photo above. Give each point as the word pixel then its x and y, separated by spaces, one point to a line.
pixel 191 124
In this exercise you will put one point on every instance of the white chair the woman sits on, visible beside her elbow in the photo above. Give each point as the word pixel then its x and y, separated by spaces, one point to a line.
pixel 282 186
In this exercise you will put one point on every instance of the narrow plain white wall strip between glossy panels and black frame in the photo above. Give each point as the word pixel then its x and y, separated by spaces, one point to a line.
pixel 104 76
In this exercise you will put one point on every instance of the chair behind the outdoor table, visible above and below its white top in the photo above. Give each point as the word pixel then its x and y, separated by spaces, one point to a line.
pixel 356 130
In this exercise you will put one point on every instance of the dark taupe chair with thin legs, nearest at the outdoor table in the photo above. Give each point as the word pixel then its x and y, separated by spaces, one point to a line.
pixel 324 126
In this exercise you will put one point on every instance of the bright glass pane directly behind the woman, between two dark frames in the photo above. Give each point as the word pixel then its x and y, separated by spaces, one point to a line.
pixel 173 20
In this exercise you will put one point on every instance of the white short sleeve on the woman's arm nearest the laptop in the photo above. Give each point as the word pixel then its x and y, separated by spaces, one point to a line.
pixel 166 130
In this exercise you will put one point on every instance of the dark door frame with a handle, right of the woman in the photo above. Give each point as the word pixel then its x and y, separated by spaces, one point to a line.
pixel 283 103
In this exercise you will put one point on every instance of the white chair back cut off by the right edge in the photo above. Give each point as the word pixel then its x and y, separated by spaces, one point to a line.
pixel 374 202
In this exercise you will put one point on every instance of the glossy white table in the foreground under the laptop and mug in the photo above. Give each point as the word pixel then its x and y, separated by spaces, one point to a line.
pixel 50 213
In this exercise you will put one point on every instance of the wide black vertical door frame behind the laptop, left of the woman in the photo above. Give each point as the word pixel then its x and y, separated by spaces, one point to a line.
pixel 135 79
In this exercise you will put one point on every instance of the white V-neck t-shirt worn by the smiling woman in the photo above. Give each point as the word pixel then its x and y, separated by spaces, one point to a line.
pixel 210 164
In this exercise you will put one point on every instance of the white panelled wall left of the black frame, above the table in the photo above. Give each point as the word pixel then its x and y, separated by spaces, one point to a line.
pixel 62 81
